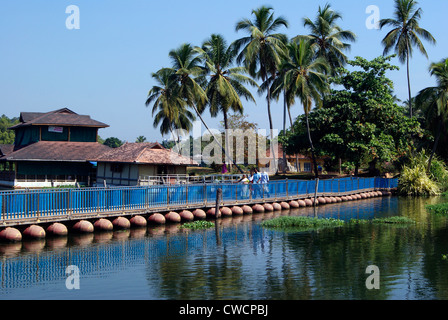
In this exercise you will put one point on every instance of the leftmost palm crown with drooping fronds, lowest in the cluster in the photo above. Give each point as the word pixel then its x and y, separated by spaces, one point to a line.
pixel 169 108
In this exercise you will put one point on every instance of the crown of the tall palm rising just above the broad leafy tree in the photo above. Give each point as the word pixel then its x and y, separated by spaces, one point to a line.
pixel 328 38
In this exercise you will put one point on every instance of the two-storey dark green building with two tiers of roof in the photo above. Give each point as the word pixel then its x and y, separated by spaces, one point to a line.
pixel 51 149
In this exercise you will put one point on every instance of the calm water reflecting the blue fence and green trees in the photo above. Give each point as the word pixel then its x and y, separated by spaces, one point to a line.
pixel 241 260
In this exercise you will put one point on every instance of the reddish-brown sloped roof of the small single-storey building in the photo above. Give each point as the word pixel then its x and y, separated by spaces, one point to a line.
pixel 145 153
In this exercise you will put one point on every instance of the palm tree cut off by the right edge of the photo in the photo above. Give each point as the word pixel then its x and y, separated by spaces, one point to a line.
pixel 436 100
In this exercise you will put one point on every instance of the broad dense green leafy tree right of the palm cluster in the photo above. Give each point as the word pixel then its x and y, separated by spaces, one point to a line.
pixel 360 121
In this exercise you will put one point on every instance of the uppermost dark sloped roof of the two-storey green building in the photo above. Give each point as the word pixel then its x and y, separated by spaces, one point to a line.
pixel 60 117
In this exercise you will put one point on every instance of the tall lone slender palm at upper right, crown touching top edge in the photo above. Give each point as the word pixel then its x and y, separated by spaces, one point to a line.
pixel 405 35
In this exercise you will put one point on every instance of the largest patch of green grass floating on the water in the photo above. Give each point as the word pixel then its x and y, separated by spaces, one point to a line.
pixel 301 222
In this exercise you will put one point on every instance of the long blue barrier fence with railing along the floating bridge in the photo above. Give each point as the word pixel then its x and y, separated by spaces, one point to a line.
pixel 29 204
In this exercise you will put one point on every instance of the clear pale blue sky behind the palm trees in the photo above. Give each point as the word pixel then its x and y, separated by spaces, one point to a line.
pixel 103 68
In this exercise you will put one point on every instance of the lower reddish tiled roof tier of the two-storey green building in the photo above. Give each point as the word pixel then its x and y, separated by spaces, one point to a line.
pixel 58 151
